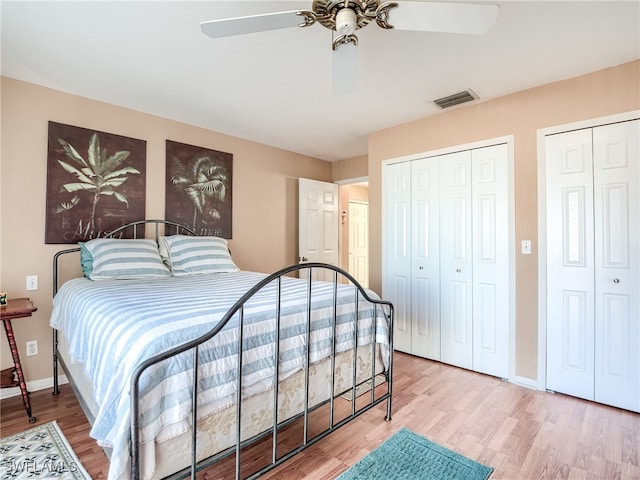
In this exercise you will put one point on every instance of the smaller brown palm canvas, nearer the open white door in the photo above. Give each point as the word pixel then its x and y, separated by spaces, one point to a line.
pixel 199 189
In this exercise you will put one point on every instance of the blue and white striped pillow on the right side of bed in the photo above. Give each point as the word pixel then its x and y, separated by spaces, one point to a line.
pixel 195 255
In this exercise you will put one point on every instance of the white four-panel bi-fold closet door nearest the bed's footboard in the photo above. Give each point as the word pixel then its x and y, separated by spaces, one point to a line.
pixel 447 257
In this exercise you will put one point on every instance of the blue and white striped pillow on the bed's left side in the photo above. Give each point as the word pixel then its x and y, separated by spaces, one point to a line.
pixel 125 259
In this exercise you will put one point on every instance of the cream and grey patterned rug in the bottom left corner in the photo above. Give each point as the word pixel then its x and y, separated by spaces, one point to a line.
pixel 40 452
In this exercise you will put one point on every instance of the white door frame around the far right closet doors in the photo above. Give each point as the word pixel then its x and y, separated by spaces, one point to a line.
pixel 542 224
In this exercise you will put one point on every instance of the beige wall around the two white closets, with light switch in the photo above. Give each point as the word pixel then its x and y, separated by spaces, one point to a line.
pixel 611 91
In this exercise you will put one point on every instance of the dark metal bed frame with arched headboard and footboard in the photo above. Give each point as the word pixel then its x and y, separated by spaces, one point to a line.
pixel 375 395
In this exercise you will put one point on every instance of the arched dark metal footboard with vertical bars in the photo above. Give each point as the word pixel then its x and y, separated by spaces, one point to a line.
pixel 379 350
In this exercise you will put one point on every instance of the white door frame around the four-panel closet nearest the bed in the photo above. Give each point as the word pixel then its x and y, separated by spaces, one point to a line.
pixel 509 141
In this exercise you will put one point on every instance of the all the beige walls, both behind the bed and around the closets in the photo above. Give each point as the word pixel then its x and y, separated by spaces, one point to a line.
pixel 265 220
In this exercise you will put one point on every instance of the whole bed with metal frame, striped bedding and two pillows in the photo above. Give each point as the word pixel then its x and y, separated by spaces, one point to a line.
pixel 163 332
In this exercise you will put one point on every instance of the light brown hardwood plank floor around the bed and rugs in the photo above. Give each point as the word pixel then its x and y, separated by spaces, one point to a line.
pixel 521 433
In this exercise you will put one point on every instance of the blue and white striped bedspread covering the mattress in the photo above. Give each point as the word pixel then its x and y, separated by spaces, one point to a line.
pixel 113 325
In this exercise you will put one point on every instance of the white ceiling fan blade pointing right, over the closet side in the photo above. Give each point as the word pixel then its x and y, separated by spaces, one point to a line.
pixel 443 17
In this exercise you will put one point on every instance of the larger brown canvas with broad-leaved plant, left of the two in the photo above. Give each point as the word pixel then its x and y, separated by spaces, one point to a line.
pixel 95 183
